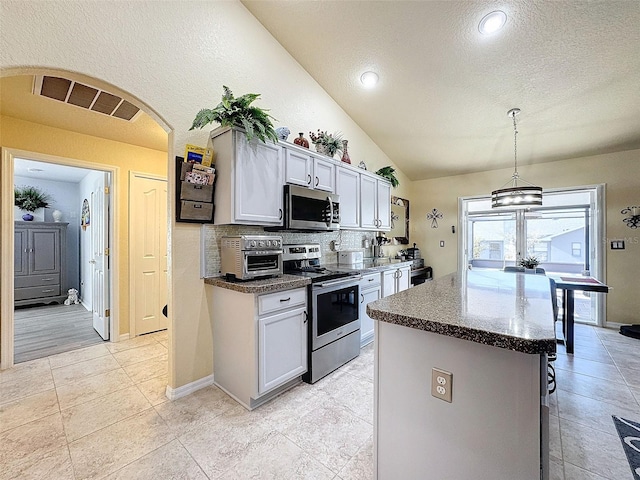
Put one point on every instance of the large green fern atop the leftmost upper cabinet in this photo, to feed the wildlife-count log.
(238, 112)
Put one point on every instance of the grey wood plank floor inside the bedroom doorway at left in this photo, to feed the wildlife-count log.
(46, 330)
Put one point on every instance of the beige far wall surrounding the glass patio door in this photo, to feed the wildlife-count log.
(619, 171)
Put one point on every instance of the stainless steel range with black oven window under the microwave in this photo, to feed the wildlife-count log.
(334, 330)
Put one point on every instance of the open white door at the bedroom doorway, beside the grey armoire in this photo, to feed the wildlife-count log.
(99, 225)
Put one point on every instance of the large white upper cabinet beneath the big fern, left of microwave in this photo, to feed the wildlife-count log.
(248, 188)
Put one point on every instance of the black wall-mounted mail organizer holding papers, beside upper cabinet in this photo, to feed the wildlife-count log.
(194, 192)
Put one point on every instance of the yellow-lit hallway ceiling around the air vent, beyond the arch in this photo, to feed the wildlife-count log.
(18, 101)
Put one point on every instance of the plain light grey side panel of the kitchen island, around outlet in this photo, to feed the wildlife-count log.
(490, 431)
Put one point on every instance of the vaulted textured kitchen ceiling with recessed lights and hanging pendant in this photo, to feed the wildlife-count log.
(440, 108)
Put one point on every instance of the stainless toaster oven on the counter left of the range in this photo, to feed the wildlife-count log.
(247, 257)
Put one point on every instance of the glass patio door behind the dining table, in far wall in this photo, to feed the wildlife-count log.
(561, 234)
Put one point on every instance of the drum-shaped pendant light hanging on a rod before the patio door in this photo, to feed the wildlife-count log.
(516, 196)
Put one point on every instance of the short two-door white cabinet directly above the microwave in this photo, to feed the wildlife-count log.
(308, 170)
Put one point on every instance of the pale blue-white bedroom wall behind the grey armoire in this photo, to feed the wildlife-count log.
(64, 197)
